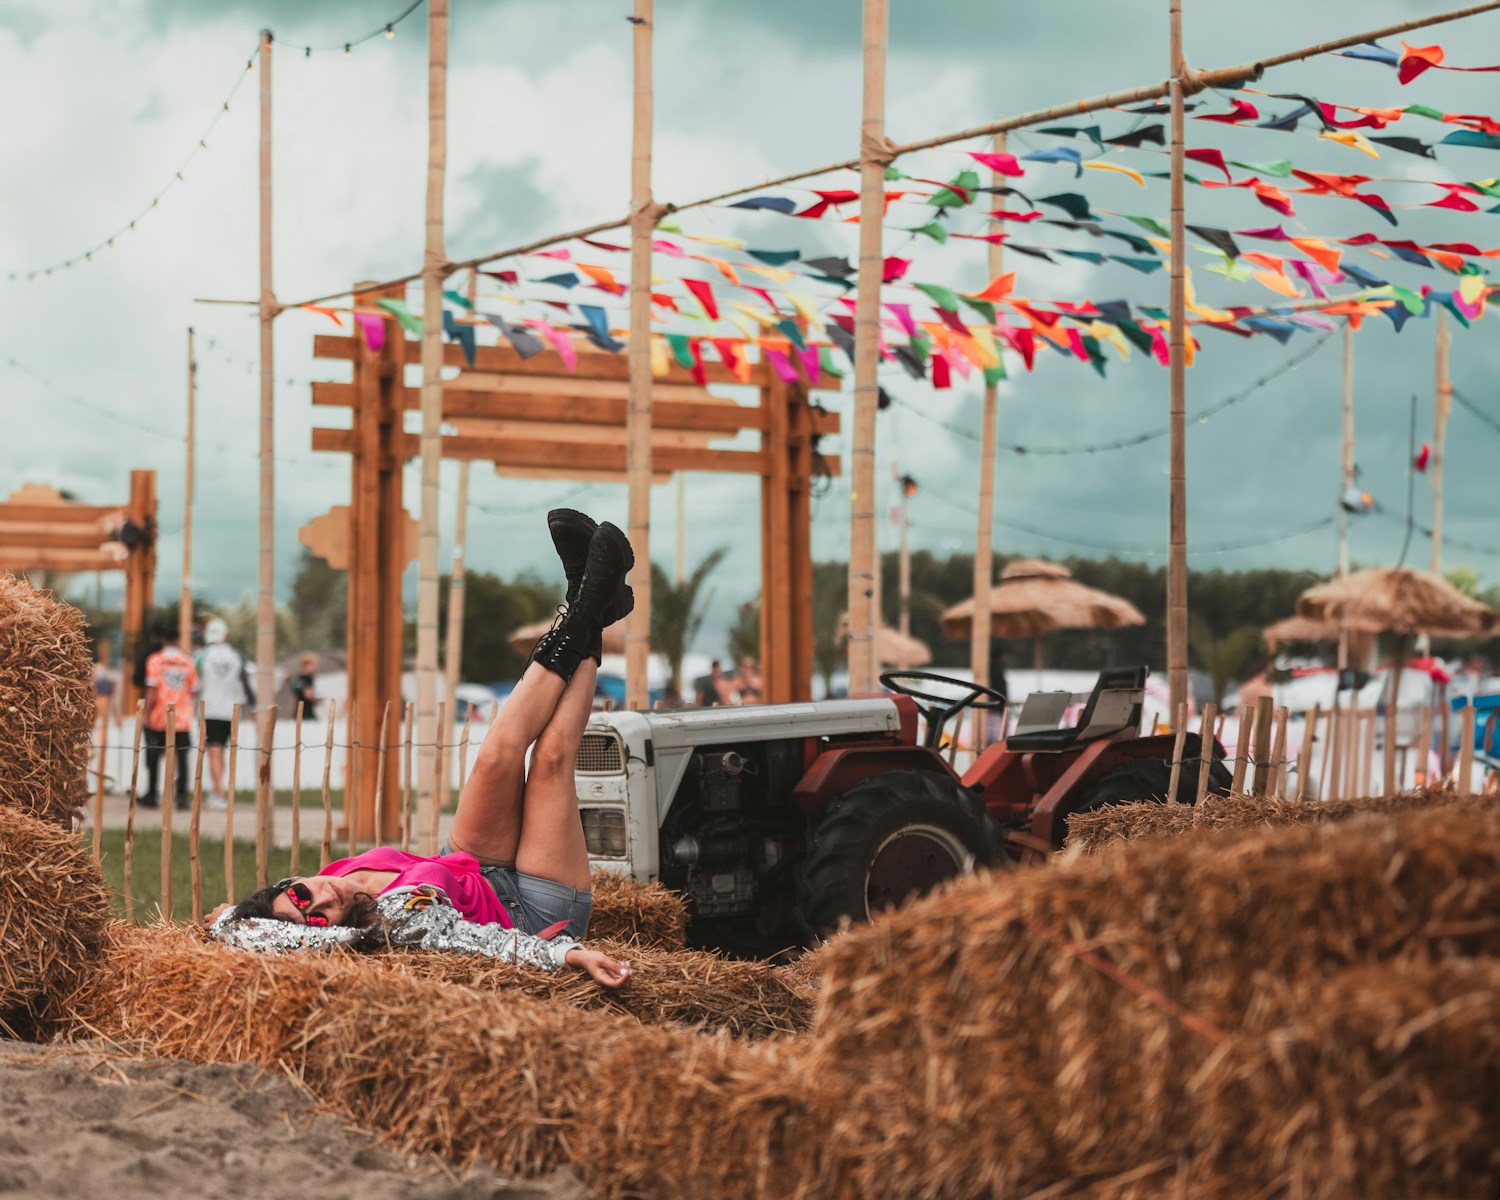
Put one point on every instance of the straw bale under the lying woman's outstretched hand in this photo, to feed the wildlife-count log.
(680, 988)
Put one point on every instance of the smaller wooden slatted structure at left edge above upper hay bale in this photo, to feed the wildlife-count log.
(44, 532)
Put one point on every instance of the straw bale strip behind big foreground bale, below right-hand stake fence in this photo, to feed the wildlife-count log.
(1090, 833)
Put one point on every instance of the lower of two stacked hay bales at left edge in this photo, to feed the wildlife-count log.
(55, 908)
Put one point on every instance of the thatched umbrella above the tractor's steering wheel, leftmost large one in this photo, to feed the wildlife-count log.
(1036, 598)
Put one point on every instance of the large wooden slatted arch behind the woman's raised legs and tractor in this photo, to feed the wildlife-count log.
(541, 418)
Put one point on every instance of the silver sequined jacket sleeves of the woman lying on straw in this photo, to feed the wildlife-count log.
(422, 919)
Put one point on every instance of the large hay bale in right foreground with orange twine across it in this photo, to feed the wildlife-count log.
(1000, 1061)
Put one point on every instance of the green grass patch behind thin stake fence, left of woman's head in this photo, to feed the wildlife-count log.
(146, 871)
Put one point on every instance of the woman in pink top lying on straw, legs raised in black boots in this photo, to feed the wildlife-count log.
(515, 871)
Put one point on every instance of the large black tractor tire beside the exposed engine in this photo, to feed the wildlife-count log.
(889, 838)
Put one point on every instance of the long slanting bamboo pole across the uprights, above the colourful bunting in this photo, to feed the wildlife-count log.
(1220, 77)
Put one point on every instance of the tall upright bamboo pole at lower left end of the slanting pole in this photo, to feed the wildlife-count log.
(266, 583)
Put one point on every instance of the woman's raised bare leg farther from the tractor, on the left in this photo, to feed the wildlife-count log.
(488, 820)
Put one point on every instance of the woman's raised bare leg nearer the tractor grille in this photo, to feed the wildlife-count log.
(551, 832)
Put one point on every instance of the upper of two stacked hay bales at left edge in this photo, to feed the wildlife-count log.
(47, 706)
